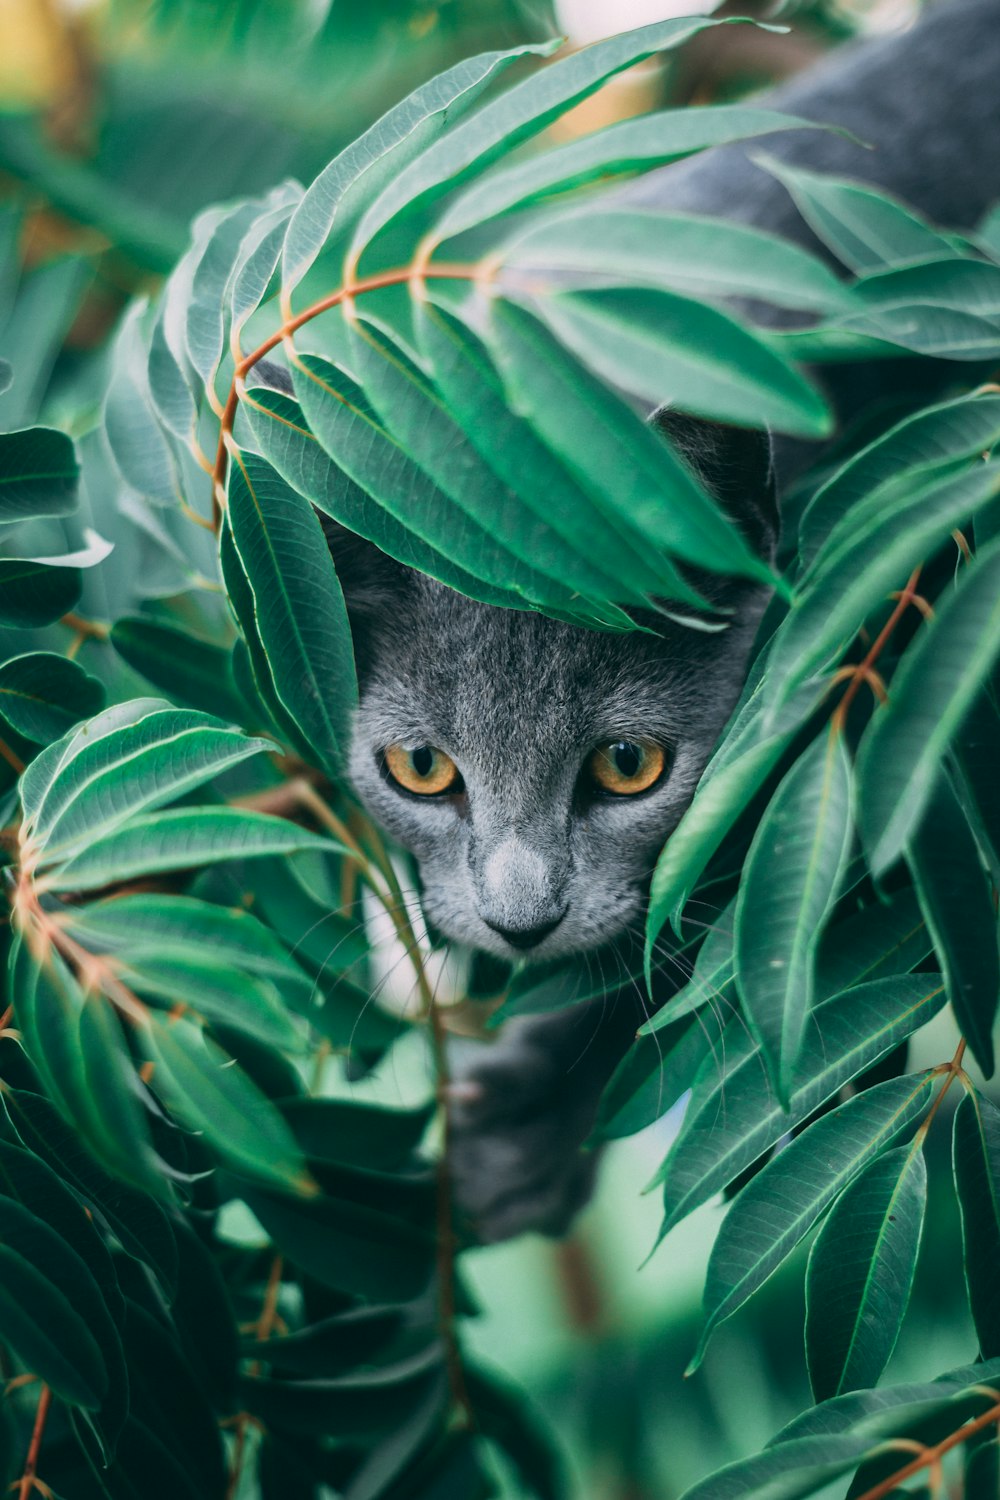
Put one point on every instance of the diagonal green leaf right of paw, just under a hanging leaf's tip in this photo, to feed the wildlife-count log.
(735, 1117)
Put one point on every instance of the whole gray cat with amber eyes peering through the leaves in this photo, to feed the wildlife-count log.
(536, 769)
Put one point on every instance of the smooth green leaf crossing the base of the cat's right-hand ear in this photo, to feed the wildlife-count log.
(617, 458)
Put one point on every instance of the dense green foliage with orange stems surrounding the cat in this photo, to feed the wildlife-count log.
(218, 1274)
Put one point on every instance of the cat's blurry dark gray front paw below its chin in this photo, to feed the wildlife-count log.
(515, 1145)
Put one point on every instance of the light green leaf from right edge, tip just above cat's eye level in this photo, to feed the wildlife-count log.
(863, 563)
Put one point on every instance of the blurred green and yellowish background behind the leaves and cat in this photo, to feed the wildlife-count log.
(119, 122)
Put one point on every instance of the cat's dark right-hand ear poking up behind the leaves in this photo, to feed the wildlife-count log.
(735, 466)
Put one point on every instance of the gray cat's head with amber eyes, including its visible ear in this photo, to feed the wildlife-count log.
(536, 769)
